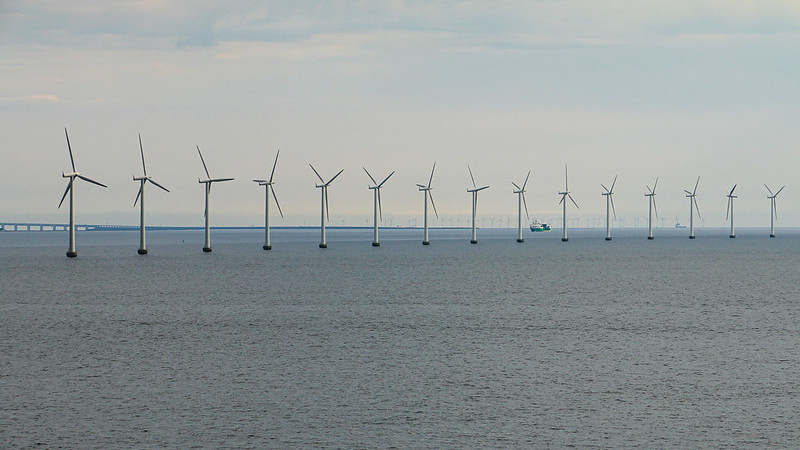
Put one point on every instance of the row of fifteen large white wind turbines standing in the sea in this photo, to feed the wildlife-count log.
(377, 208)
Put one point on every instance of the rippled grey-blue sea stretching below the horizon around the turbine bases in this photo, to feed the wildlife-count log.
(669, 343)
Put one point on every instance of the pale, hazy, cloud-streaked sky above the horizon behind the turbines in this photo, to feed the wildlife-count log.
(637, 89)
